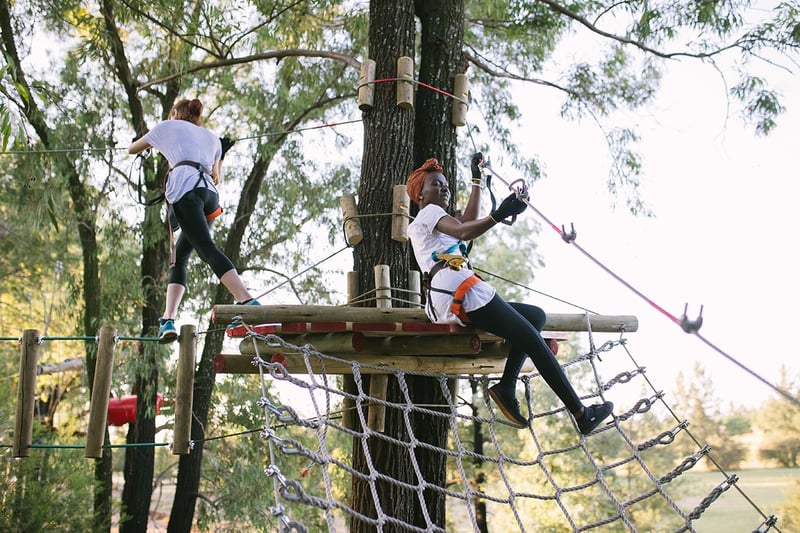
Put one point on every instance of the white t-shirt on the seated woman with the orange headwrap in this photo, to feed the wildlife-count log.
(426, 239)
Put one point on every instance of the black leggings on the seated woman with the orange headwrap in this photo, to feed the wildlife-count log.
(520, 324)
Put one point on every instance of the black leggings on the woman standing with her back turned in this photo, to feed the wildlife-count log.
(190, 212)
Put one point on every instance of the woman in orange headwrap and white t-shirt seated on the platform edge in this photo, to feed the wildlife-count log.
(456, 295)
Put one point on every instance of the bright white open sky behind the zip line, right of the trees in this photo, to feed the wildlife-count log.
(722, 236)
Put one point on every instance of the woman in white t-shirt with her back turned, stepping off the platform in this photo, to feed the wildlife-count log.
(195, 160)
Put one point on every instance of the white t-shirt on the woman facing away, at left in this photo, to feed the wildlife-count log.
(180, 140)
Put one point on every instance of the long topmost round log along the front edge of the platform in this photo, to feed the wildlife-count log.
(275, 314)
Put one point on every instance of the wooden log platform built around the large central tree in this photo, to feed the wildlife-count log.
(391, 339)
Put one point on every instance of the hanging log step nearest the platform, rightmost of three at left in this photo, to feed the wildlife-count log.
(181, 433)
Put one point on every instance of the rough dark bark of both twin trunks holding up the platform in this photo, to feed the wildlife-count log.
(390, 153)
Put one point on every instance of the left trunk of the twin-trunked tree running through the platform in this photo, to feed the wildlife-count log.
(387, 161)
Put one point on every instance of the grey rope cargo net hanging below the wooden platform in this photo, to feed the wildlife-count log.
(477, 472)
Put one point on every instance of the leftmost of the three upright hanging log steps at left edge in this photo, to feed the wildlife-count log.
(26, 393)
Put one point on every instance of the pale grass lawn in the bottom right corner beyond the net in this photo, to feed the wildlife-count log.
(731, 512)
